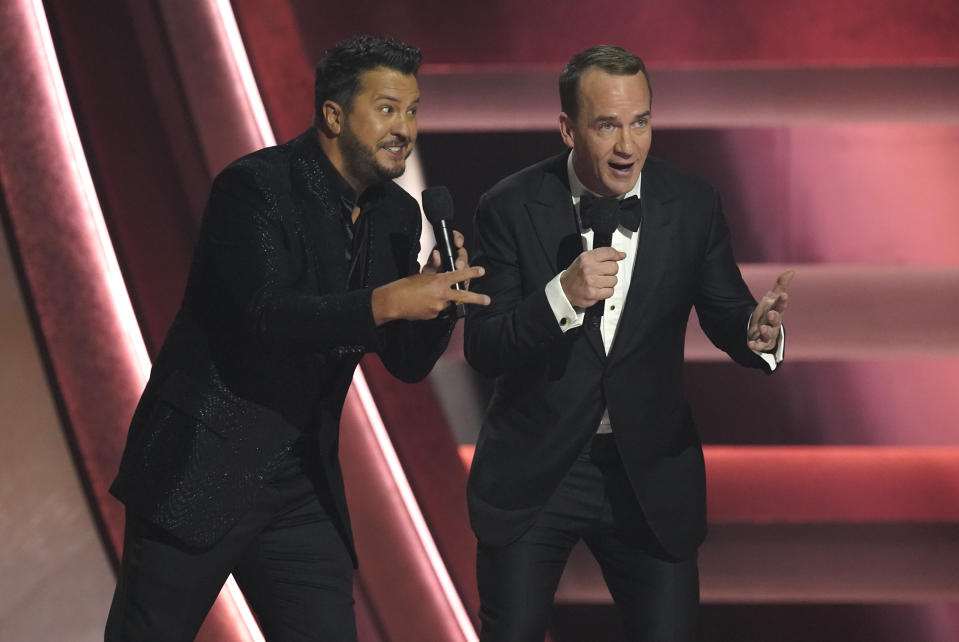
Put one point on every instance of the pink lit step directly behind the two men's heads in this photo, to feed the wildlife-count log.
(523, 98)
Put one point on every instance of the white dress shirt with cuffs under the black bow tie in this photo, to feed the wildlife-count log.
(625, 241)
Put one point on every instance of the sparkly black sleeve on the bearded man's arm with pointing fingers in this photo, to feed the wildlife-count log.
(248, 267)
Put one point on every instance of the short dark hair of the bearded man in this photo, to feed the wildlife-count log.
(338, 71)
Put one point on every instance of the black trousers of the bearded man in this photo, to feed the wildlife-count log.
(286, 555)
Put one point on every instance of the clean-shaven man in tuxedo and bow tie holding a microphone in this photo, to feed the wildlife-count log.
(588, 434)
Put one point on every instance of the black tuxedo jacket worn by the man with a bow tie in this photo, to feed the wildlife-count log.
(551, 388)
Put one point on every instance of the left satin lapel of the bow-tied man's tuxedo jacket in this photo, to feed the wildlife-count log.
(554, 220)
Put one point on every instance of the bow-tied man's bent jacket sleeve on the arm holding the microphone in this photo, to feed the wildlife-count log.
(518, 326)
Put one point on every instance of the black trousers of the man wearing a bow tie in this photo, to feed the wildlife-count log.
(657, 597)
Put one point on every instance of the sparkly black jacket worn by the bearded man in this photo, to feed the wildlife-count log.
(263, 349)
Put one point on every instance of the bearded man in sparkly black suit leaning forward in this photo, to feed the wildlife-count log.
(307, 260)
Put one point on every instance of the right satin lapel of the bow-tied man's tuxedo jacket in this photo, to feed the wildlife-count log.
(652, 259)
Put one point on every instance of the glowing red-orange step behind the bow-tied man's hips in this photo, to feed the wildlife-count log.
(835, 484)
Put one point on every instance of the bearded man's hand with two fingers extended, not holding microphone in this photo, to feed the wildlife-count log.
(424, 296)
